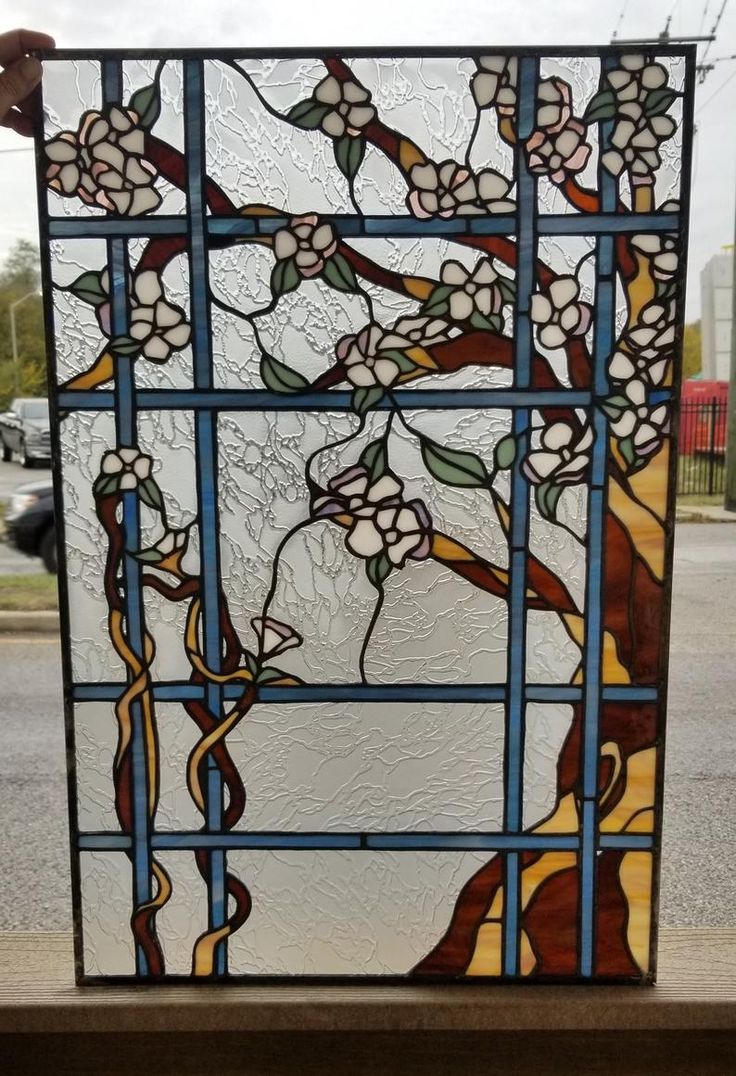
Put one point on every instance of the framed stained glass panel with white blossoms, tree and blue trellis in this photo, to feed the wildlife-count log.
(364, 373)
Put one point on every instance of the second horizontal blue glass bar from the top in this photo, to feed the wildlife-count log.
(247, 400)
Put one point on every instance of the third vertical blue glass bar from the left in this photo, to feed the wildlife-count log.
(514, 815)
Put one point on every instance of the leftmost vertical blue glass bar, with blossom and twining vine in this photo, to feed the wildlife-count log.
(128, 437)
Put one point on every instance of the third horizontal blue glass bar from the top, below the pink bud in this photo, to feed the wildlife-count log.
(180, 691)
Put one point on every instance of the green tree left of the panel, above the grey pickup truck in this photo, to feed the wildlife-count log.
(19, 276)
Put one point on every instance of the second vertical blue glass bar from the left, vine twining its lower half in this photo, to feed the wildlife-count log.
(207, 469)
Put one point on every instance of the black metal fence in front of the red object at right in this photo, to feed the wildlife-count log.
(703, 441)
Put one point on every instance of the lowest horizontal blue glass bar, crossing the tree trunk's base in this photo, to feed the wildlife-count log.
(376, 842)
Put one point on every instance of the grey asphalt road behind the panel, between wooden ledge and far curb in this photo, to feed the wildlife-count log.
(700, 845)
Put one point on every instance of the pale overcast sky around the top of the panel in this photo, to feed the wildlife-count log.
(253, 23)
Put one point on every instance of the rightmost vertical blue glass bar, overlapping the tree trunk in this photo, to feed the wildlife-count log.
(605, 338)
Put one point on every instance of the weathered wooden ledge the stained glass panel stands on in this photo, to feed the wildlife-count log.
(697, 992)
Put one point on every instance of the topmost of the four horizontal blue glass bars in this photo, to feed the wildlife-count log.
(353, 226)
